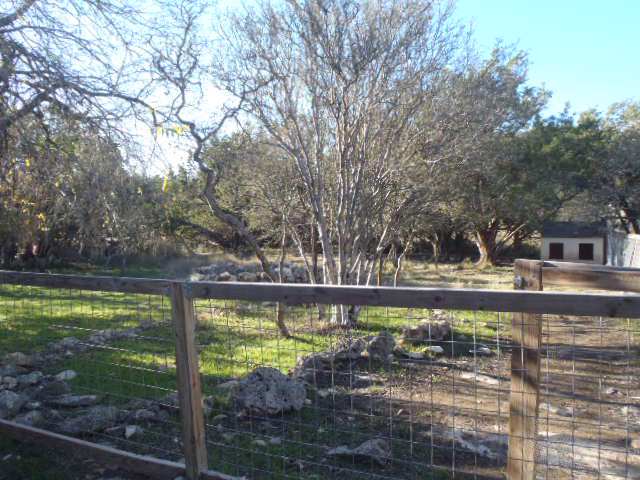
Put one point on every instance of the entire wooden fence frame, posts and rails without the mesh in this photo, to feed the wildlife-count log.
(527, 304)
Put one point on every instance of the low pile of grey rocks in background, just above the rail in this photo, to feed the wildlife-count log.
(229, 271)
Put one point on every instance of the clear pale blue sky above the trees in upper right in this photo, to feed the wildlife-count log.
(585, 51)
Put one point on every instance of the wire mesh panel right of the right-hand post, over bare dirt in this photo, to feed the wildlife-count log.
(589, 425)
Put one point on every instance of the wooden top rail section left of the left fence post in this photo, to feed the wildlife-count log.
(86, 282)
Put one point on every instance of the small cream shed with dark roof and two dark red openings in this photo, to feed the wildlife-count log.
(575, 242)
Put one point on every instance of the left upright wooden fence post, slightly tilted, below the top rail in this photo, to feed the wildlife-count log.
(189, 388)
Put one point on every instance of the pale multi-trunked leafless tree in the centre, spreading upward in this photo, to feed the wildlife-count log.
(338, 86)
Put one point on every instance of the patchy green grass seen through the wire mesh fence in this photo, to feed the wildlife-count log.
(234, 338)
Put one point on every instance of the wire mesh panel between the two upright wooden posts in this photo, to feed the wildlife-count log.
(439, 414)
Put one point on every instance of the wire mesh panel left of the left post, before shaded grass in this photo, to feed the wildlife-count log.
(122, 350)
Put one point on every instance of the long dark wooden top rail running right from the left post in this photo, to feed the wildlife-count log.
(559, 303)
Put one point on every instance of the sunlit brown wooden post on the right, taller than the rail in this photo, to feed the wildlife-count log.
(526, 334)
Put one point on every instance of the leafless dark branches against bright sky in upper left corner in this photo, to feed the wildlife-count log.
(78, 57)
